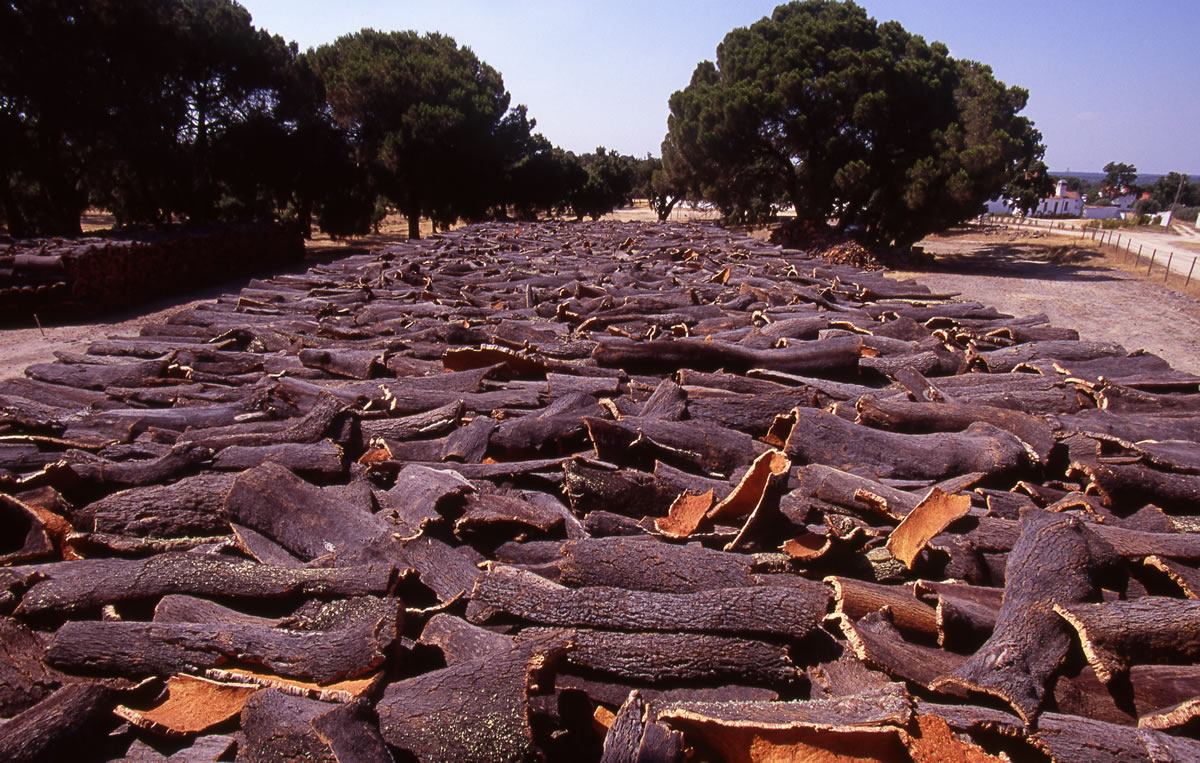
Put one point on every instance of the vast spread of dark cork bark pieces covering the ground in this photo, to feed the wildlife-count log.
(613, 491)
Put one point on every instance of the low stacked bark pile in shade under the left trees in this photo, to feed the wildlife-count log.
(101, 273)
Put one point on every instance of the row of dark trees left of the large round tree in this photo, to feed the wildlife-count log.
(165, 111)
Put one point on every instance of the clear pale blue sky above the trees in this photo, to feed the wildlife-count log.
(1108, 80)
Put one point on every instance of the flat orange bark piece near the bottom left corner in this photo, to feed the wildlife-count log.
(193, 706)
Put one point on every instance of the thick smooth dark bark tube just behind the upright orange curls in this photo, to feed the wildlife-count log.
(824, 438)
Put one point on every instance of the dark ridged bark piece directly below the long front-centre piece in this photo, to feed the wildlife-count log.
(673, 658)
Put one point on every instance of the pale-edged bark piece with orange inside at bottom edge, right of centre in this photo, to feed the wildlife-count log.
(857, 728)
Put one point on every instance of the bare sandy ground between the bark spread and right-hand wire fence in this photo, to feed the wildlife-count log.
(1075, 286)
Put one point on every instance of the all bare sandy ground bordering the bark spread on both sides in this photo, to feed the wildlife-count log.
(1016, 275)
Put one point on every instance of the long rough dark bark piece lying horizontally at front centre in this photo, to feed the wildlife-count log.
(770, 610)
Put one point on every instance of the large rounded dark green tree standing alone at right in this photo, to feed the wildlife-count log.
(821, 109)
